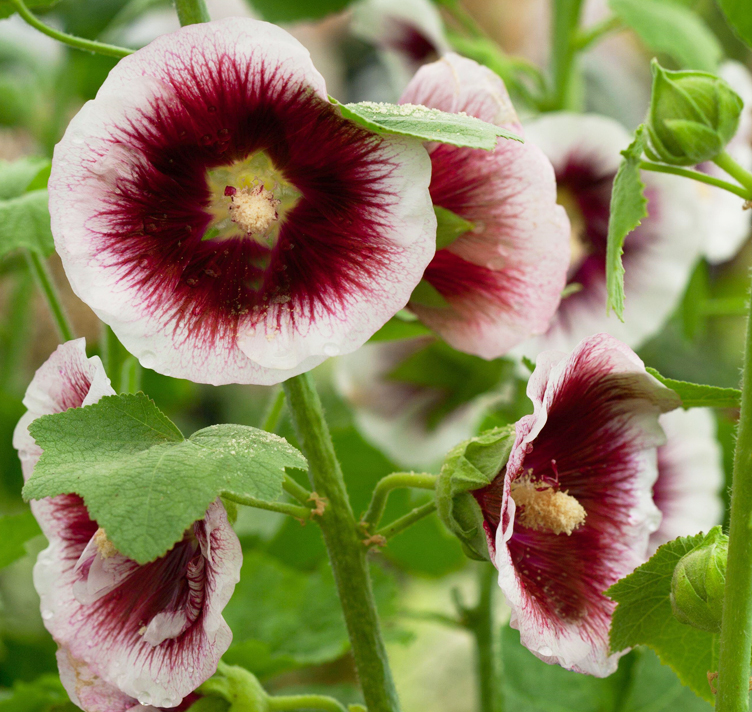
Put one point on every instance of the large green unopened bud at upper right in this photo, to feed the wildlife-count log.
(693, 115)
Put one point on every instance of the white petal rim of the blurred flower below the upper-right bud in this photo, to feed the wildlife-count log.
(672, 238)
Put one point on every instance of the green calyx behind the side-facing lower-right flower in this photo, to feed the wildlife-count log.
(469, 466)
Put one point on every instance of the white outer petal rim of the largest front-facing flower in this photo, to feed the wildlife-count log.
(80, 179)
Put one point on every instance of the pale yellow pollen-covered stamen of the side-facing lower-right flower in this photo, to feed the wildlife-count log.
(543, 508)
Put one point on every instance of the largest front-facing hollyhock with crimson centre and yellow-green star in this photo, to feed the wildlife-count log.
(221, 216)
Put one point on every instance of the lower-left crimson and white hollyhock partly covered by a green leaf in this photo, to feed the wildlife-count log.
(147, 633)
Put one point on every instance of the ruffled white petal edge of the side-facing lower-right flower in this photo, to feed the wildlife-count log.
(572, 647)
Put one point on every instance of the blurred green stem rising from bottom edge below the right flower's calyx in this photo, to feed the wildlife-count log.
(480, 621)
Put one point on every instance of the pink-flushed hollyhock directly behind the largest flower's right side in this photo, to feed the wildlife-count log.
(502, 280)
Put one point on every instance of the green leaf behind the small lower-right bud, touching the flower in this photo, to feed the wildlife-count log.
(644, 616)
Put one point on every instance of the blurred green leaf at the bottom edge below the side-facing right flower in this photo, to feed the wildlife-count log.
(641, 684)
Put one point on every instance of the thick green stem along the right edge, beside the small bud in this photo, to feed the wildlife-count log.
(736, 626)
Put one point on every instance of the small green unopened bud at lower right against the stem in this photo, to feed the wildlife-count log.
(698, 582)
